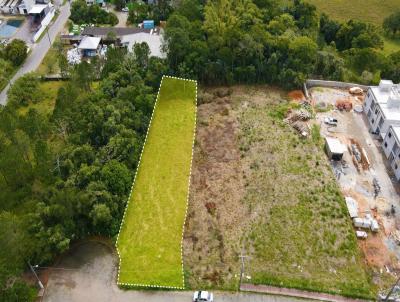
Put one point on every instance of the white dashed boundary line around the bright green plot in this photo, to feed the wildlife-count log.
(133, 183)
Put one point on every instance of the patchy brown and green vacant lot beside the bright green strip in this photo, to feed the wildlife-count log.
(260, 190)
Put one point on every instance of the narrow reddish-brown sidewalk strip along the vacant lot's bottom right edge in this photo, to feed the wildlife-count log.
(265, 289)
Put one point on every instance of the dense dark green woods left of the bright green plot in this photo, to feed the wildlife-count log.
(67, 176)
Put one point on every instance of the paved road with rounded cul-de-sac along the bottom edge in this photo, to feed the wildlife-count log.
(87, 274)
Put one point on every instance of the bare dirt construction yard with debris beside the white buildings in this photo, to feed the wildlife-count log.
(364, 175)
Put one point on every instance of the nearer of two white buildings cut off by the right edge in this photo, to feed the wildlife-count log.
(391, 148)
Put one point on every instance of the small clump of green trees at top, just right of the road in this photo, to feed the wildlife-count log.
(82, 13)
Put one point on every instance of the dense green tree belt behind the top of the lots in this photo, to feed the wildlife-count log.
(223, 42)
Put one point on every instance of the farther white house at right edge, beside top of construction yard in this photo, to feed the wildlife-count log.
(382, 107)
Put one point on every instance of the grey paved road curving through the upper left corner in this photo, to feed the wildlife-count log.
(39, 50)
